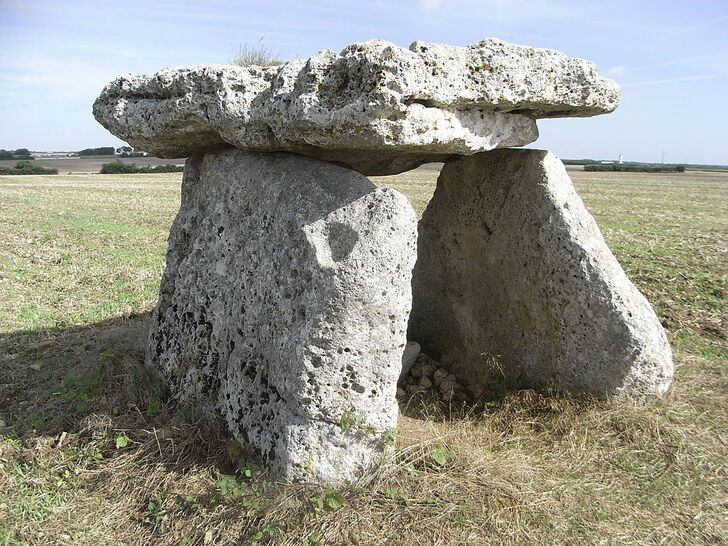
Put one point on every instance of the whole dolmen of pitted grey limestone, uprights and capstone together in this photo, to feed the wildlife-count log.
(293, 283)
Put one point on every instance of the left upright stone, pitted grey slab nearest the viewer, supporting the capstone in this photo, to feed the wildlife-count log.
(286, 297)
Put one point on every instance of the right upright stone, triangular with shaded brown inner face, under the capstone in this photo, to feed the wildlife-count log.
(511, 265)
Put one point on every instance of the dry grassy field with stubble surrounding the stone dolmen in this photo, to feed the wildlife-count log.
(91, 453)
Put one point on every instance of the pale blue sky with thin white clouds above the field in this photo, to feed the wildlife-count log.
(670, 57)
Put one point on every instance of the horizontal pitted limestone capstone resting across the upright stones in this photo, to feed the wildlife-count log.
(376, 107)
